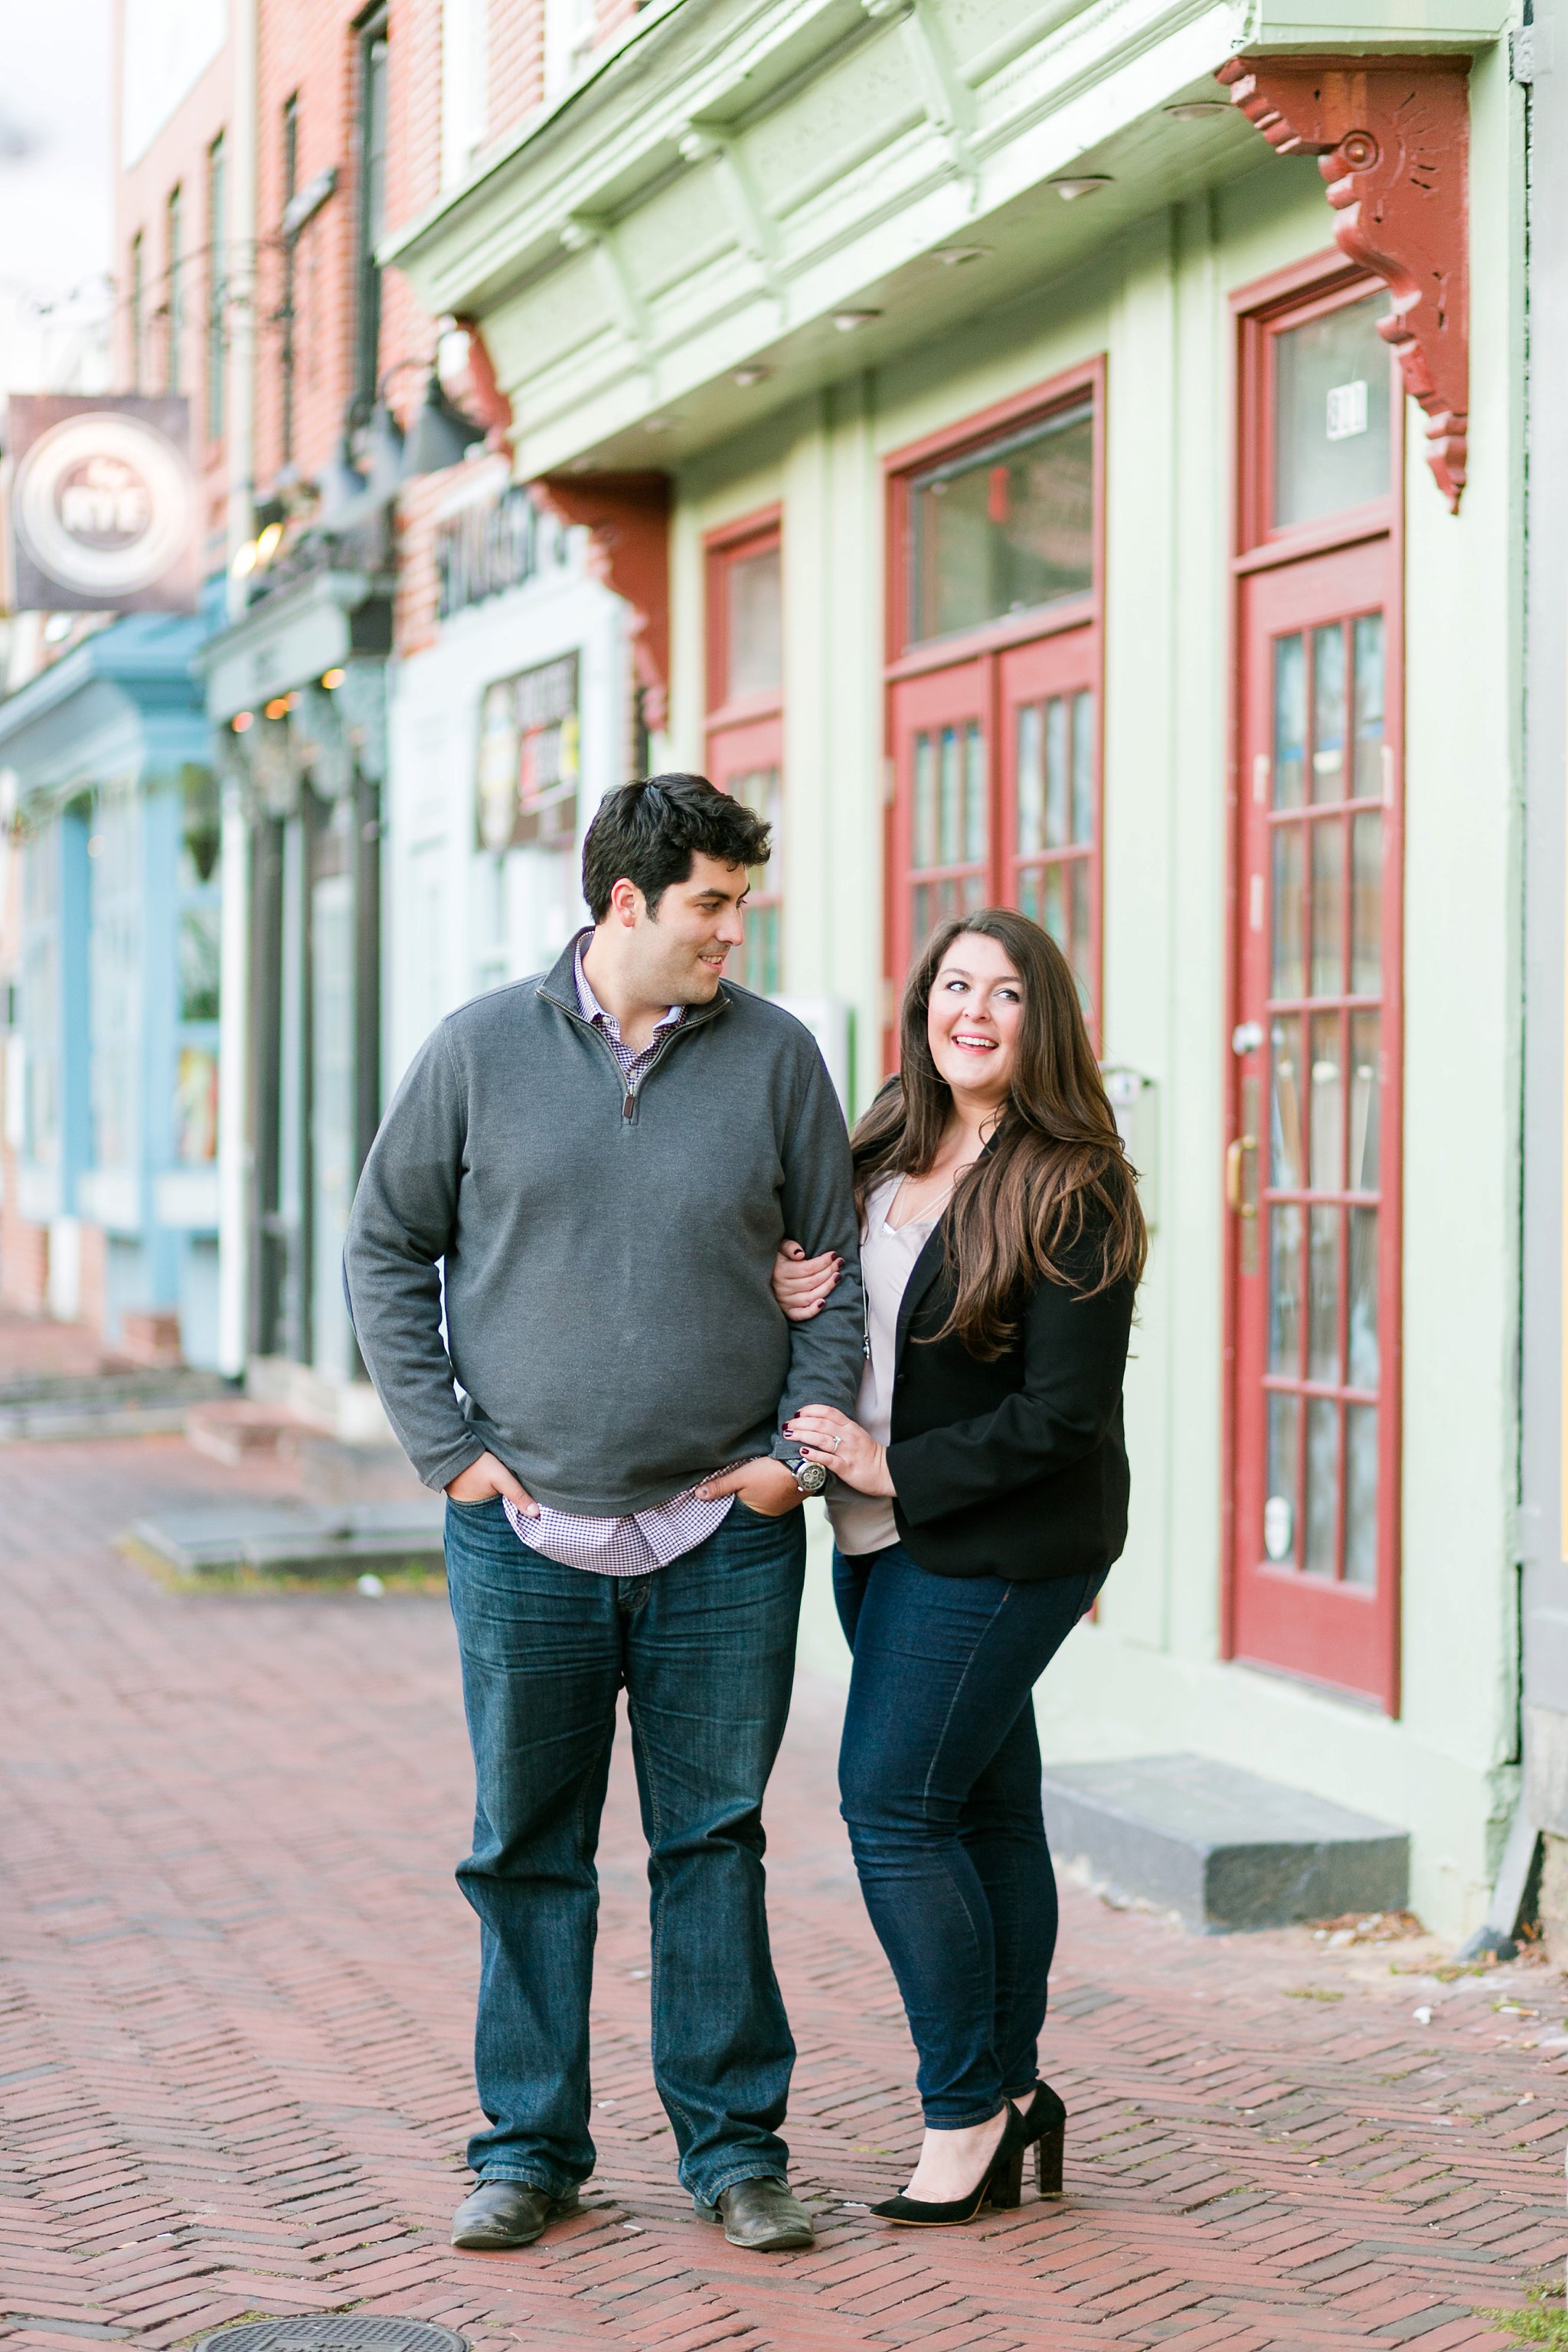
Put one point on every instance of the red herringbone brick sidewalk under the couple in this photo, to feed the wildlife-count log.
(236, 2010)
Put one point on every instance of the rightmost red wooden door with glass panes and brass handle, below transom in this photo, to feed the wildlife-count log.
(1313, 1172)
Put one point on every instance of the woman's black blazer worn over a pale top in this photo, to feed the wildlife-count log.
(1012, 1469)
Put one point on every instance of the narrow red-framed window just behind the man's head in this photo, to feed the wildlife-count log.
(746, 716)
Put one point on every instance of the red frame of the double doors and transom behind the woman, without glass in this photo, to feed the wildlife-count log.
(977, 681)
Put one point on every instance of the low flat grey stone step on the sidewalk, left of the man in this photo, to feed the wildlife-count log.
(290, 1537)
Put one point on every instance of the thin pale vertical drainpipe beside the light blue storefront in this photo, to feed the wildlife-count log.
(236, 933)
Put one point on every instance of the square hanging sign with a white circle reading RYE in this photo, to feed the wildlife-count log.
(102, 505)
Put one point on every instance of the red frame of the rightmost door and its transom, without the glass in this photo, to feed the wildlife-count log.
(1282, 582)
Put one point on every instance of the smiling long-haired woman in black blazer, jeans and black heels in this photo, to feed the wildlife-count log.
(981, 1497)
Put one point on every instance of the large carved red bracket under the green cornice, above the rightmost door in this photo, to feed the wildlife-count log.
(1393, 142)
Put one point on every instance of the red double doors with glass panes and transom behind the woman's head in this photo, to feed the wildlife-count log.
(996, 679)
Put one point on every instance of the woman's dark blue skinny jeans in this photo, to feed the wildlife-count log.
(939, 1782)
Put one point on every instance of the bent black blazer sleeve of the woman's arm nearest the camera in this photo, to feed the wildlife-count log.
(1076, 1361)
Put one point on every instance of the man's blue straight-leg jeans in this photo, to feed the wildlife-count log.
(706, 1652)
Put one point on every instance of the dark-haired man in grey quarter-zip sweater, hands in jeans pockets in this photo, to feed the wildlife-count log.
(605, 1163)
